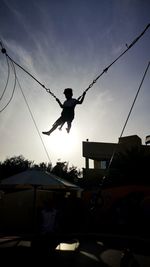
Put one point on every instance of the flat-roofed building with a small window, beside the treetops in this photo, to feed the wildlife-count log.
(102, 153)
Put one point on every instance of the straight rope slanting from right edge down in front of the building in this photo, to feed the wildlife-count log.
(130, 110)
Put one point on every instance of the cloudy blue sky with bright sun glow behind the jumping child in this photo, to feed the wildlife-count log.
(68, 43)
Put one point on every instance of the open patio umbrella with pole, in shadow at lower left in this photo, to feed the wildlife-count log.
(36, 180)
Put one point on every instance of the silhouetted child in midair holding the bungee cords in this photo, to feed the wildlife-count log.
(67, 114)
